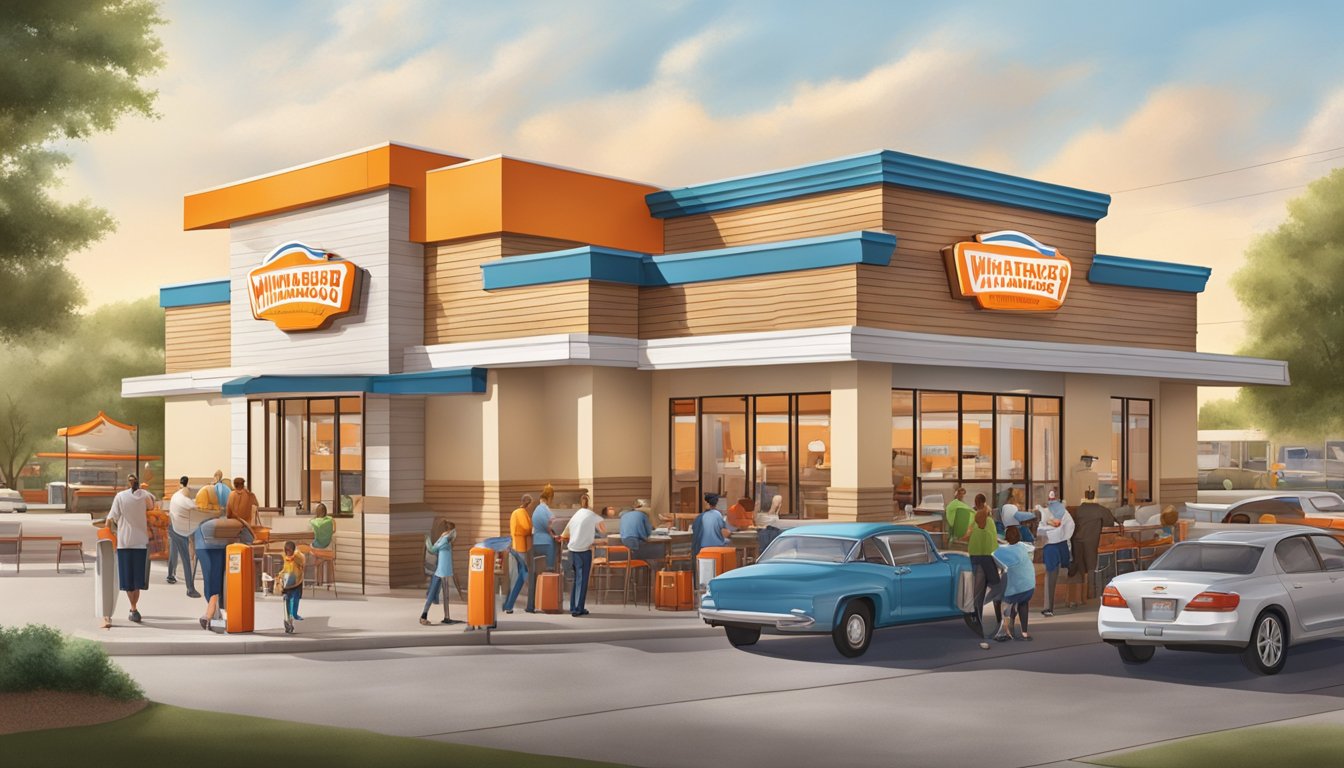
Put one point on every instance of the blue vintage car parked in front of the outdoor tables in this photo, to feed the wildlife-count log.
(845, 579)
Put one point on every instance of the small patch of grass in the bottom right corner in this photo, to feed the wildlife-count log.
(1298, 746)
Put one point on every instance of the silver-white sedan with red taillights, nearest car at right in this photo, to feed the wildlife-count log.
(1255, 592)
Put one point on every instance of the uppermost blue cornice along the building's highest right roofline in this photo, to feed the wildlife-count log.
(885, 167)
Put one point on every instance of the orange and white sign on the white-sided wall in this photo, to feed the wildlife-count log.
(302, 289)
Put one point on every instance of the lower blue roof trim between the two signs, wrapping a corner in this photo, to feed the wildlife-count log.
(611, 266)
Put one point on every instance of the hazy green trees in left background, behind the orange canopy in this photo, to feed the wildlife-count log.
(68, 377)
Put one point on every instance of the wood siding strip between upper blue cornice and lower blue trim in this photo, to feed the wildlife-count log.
(814, 216)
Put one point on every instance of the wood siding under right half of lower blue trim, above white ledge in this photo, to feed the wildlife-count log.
(808, 299)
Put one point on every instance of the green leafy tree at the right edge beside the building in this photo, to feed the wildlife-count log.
(1294, 291)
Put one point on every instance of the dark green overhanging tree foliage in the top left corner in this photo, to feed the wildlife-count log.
(68, 69)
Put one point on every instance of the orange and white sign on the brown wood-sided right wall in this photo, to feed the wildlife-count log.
(1009, 271)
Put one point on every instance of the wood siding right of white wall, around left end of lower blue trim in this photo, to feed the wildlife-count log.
(458, 310)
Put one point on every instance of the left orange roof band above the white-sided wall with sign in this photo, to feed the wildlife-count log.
(326, 181)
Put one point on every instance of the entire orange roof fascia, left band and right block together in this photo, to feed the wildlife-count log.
(451, 198)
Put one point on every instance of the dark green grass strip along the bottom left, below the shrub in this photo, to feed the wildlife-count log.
(163, 735)
